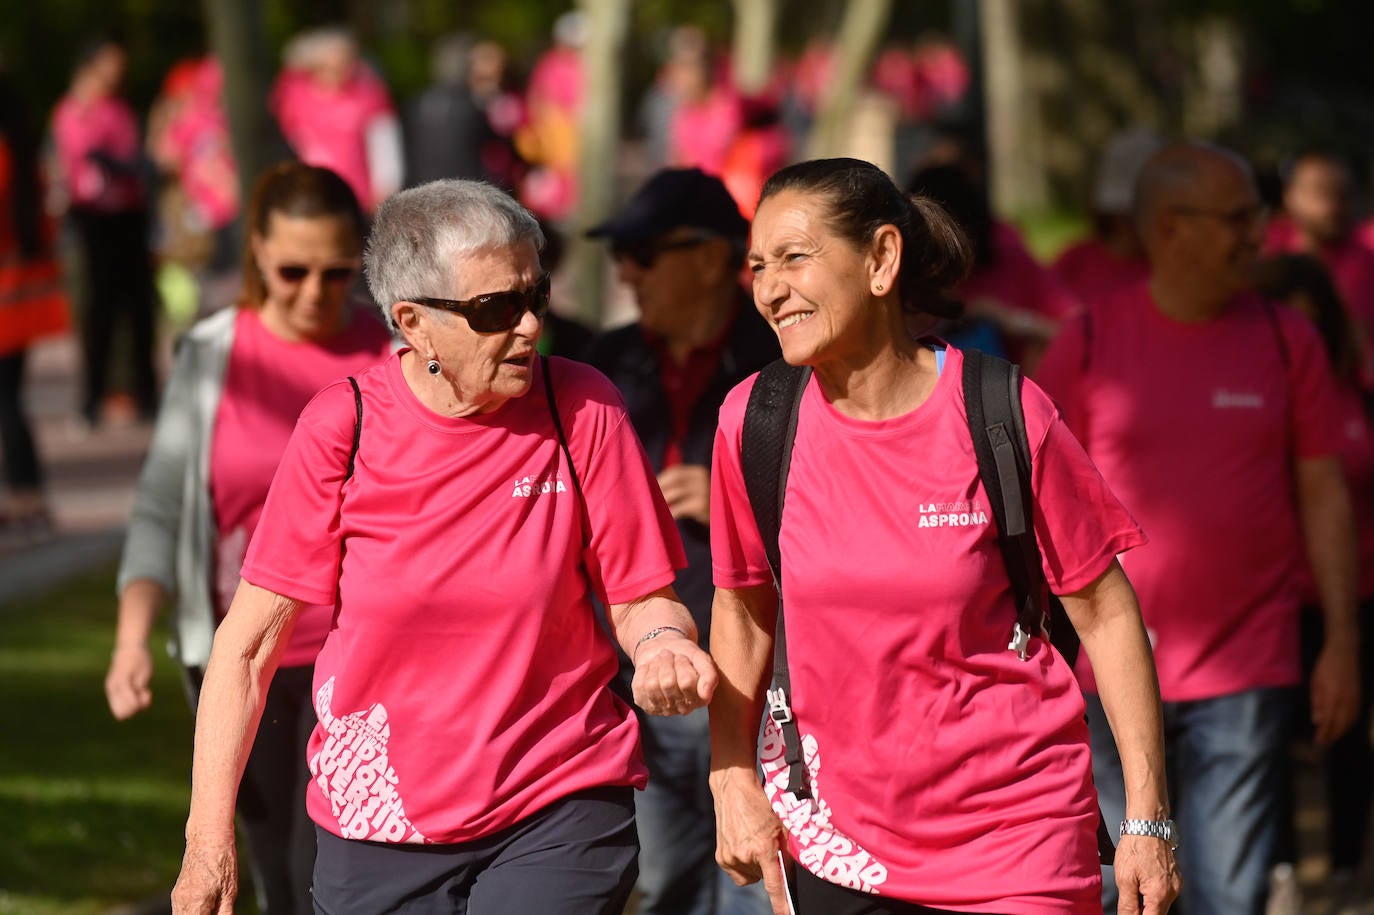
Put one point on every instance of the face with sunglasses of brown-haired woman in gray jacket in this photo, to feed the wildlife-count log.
(308, 266)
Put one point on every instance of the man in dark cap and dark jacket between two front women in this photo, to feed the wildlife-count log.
(679, 244)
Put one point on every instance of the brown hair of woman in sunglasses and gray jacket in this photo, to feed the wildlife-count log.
(299, 192)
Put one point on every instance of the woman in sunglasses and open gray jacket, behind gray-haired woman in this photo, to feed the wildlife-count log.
(240, 383)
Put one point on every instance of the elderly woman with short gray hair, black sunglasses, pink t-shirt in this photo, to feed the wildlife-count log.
(460, 504)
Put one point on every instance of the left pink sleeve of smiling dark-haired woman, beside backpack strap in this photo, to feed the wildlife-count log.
(739, 557)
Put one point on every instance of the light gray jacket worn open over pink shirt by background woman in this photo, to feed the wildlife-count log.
(172, 527)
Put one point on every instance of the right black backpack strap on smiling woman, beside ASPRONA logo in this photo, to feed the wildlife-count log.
(998, 428)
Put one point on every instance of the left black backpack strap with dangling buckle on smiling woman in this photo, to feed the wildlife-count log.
(766, 457)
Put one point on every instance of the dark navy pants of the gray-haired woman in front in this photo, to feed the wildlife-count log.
(574, 858)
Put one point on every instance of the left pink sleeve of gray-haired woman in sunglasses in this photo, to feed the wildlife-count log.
(296, 550)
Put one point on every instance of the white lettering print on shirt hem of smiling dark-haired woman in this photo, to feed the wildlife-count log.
(822, 850)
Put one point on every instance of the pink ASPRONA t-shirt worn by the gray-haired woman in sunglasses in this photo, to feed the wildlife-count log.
(465, 682)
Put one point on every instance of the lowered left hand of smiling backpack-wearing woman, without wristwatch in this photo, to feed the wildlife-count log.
(750, 836)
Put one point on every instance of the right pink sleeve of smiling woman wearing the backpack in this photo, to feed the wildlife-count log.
(1079, 523)
